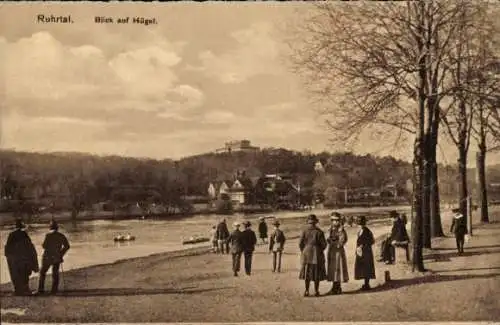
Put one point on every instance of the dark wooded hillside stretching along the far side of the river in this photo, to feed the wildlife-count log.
(76, 181)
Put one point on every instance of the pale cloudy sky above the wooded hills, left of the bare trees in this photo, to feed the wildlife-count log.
(204, 75)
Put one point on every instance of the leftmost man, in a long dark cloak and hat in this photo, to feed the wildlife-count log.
(21, 259)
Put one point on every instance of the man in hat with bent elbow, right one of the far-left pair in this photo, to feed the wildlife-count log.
(55, 246)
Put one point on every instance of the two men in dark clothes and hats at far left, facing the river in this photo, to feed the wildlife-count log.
(22, 258)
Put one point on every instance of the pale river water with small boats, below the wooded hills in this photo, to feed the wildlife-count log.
(92, 241)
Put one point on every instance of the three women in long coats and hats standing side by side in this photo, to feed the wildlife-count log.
(316, 268)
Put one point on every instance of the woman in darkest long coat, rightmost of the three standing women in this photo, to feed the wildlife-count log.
(364, 265)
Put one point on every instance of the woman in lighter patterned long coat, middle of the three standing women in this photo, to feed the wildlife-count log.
(336, 259)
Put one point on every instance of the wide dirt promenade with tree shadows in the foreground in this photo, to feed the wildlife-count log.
(201, 288)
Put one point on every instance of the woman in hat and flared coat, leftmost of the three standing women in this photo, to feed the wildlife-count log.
(312, 244)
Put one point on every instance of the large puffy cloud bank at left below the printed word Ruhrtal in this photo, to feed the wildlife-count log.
(68, 80)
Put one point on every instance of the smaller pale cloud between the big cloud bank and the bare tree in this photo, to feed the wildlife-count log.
(256, 52)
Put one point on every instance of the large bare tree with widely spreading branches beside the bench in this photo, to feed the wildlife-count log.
(385, 64)
